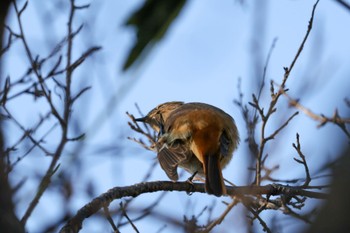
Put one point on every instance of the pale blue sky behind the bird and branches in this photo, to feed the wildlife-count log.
(209, 48)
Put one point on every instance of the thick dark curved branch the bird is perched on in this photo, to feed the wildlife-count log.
(75, 223)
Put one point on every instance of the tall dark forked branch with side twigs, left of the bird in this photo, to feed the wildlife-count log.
(41, 88)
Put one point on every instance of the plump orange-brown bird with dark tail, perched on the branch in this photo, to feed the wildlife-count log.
(197, 137)
